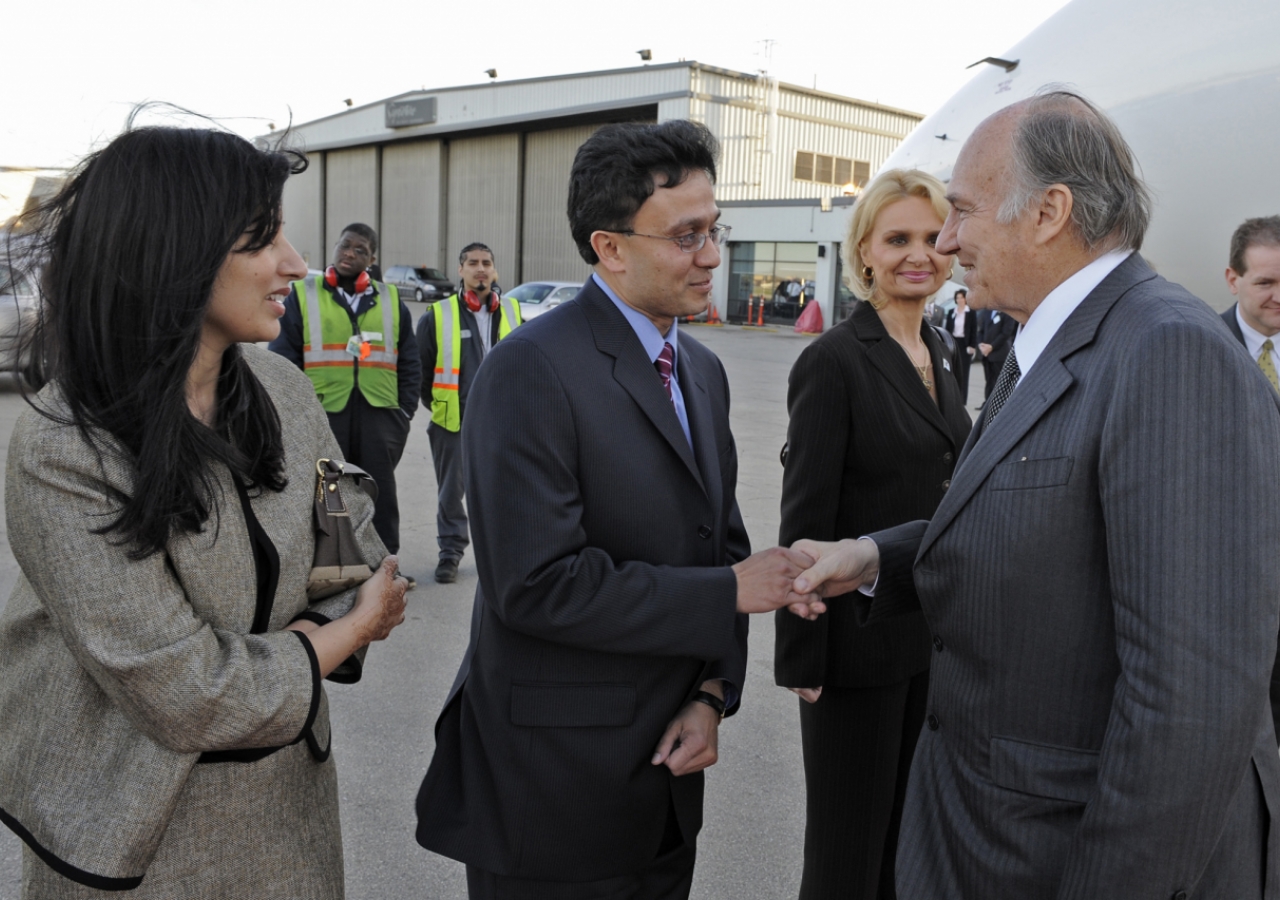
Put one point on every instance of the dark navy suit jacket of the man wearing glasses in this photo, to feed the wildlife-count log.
(604, 546)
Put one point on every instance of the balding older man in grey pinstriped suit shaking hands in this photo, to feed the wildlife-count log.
(1101, 579)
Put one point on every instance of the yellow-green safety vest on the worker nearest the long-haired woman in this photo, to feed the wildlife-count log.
(328, 364)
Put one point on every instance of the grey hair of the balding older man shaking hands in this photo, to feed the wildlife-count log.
(1063, 139)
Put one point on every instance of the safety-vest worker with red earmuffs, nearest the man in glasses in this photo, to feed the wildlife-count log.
(454, 337)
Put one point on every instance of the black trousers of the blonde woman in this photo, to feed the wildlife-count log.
(858, 746)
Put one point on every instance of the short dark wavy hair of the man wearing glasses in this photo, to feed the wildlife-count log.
(615, 173)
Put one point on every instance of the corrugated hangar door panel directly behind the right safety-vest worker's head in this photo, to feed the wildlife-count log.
(484, 200)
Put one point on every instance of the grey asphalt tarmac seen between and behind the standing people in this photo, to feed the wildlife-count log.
(752, 843)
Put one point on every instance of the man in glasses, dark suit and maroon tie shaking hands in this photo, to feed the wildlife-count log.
(609, 636)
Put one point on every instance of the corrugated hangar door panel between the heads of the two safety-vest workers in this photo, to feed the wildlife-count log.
(413, 213)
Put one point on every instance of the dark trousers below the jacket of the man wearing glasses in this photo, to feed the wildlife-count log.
(669, 878)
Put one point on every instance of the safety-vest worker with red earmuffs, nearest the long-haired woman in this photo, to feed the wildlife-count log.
(354, 339)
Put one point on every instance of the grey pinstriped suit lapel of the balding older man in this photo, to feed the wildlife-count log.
(1048, 381)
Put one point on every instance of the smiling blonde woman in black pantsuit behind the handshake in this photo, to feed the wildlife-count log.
(877, 423)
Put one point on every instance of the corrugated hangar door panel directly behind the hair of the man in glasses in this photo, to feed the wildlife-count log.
(550, 250)
